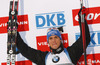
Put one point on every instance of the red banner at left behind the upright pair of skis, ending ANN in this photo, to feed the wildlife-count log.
(23, 23)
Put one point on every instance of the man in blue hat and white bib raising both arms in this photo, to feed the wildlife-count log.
(58, 55)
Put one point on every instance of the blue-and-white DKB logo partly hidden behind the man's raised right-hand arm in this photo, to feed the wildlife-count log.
(95, 38)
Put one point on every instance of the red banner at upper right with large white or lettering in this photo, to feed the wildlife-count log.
(92, 16)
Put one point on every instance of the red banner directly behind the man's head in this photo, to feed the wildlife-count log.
(43, 45)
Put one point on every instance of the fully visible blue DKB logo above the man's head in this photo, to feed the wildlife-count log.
(47, 20)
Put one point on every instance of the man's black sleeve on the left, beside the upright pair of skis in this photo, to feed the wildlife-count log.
(34, 55)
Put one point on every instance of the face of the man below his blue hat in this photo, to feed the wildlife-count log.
(54, 41)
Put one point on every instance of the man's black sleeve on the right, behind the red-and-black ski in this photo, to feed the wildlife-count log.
(76, 50)
